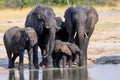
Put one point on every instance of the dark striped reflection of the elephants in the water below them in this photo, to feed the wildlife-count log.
(49, 74)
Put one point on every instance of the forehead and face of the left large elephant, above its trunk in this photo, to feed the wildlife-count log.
(46, 16)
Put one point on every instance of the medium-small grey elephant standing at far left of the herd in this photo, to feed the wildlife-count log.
(16, 40)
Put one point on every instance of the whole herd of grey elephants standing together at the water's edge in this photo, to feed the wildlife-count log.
(58, 40)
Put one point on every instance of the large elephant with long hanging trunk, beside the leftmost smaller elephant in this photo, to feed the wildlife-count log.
(42, 19)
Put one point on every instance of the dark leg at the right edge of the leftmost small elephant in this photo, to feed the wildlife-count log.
(35, 56)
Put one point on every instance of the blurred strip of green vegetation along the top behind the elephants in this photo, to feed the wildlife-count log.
(29, 3)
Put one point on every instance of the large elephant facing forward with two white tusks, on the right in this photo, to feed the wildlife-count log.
(80, 23)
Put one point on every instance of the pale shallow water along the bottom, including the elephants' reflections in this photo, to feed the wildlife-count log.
(94, 72)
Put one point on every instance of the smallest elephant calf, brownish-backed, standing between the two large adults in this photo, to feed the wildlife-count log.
(65, 51)
